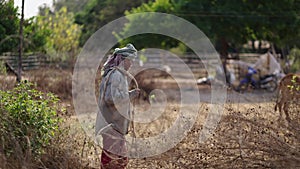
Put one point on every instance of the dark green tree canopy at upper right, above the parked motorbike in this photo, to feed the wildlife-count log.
(231, 22)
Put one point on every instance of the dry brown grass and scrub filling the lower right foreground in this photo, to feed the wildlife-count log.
(248, 136)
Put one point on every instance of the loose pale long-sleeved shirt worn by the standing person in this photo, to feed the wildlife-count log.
(114, 102)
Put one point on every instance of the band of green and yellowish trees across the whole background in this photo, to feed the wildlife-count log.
(228, 24)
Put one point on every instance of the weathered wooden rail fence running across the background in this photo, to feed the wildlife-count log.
(156, 59)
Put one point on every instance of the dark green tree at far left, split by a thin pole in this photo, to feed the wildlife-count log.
(34, 38)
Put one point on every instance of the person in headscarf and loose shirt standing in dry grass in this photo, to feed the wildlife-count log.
(114, 103)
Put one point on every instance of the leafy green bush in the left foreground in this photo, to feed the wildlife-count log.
(28, 119)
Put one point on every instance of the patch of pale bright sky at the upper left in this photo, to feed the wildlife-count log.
(31, 7)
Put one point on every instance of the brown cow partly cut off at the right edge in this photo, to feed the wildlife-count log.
(288, 90)
